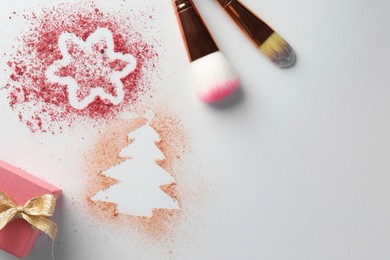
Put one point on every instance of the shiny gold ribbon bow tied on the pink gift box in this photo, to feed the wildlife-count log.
(36, 212)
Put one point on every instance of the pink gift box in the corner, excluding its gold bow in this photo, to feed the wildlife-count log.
(18, 237)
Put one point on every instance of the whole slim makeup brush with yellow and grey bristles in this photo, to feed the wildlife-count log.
(266, 39)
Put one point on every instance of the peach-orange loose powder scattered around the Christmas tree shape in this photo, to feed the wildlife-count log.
(173, 144)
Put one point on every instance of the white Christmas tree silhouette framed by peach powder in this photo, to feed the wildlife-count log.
(140, 177)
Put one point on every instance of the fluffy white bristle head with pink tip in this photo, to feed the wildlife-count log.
(214, 77)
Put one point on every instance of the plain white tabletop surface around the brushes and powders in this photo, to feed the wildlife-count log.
(298, 164)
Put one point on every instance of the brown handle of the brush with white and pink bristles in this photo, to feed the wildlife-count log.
(194, 31)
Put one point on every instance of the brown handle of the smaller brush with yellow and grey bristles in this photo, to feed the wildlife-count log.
(257, 30)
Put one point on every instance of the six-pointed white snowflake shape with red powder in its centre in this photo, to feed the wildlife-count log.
(91, 69)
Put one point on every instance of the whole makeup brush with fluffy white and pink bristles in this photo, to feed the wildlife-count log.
(213, 75)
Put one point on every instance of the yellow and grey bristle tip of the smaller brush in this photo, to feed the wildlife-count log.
(279, 51)
